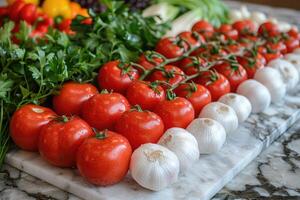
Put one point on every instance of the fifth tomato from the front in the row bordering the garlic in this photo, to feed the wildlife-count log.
(215, 82)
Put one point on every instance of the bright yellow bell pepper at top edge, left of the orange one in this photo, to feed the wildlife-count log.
(54, 8)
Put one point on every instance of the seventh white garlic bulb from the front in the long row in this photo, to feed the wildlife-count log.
(271, 78)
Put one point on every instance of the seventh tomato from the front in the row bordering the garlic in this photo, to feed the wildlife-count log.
(251, 64)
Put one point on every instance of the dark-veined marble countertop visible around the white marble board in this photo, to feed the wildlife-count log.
(275, 174)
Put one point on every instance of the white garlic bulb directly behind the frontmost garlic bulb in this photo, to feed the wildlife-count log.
(183, 144)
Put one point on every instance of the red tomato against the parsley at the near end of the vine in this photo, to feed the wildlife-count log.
(114, 77)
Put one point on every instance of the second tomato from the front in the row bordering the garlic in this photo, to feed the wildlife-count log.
(140, 127)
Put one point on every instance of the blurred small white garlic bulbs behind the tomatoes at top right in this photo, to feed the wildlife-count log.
(257, 17)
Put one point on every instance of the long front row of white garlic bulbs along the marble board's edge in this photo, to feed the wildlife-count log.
(156, 166)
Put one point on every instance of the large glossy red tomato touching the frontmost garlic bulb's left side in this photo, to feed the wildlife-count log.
(104, 161)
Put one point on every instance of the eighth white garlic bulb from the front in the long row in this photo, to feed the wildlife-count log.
(288, 72)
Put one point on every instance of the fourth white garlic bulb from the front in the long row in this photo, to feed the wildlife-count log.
(222, 113)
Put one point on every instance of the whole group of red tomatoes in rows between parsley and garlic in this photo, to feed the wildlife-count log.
(96, 132)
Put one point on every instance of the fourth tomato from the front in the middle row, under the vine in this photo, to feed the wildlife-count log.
(171, 74)
